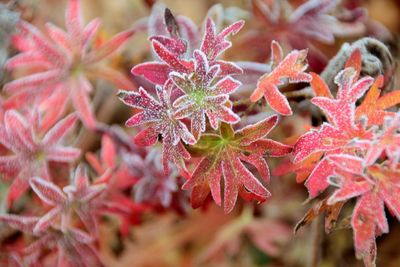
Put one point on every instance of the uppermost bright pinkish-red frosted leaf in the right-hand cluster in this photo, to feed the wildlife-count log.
(342, 126)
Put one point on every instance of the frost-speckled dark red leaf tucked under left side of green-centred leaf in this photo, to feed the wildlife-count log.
(160, 119)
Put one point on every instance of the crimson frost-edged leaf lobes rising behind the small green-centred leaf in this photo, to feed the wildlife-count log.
(175, 55)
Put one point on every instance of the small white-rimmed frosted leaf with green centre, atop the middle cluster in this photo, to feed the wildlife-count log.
(204, 94)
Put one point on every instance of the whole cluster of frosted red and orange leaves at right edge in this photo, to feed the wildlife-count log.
(355, 150)
